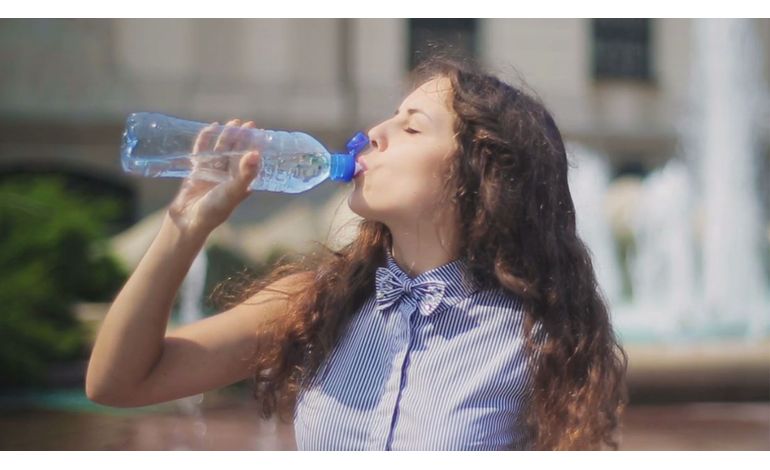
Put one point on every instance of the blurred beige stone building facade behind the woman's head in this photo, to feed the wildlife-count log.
(616, 85)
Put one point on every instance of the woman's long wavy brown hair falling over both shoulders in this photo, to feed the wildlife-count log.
(517, 232)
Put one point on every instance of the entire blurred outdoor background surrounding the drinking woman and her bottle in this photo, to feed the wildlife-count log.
(667, 127)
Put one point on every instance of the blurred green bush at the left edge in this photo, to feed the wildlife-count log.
(53, 252)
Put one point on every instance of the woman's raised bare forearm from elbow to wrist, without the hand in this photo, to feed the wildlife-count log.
(130, 340)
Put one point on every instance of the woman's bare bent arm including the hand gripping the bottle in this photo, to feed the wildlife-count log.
(132, 342)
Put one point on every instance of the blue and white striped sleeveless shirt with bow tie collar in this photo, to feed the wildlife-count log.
(447, 373)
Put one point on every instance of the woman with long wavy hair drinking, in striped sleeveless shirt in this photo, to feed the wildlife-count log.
(465, 315)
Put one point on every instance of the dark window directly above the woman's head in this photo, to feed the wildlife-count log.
(455, 37)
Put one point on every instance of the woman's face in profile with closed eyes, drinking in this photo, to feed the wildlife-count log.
(407, 158)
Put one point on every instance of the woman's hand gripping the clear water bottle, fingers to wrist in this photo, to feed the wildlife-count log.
(202, 205)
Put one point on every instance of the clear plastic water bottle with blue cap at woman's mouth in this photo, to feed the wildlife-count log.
(157, 145)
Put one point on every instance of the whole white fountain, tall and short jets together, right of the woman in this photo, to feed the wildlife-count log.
(697, 269)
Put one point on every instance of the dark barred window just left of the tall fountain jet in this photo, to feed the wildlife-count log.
(621, 48)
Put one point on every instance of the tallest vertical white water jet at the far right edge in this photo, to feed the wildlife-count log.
(728, 101)
